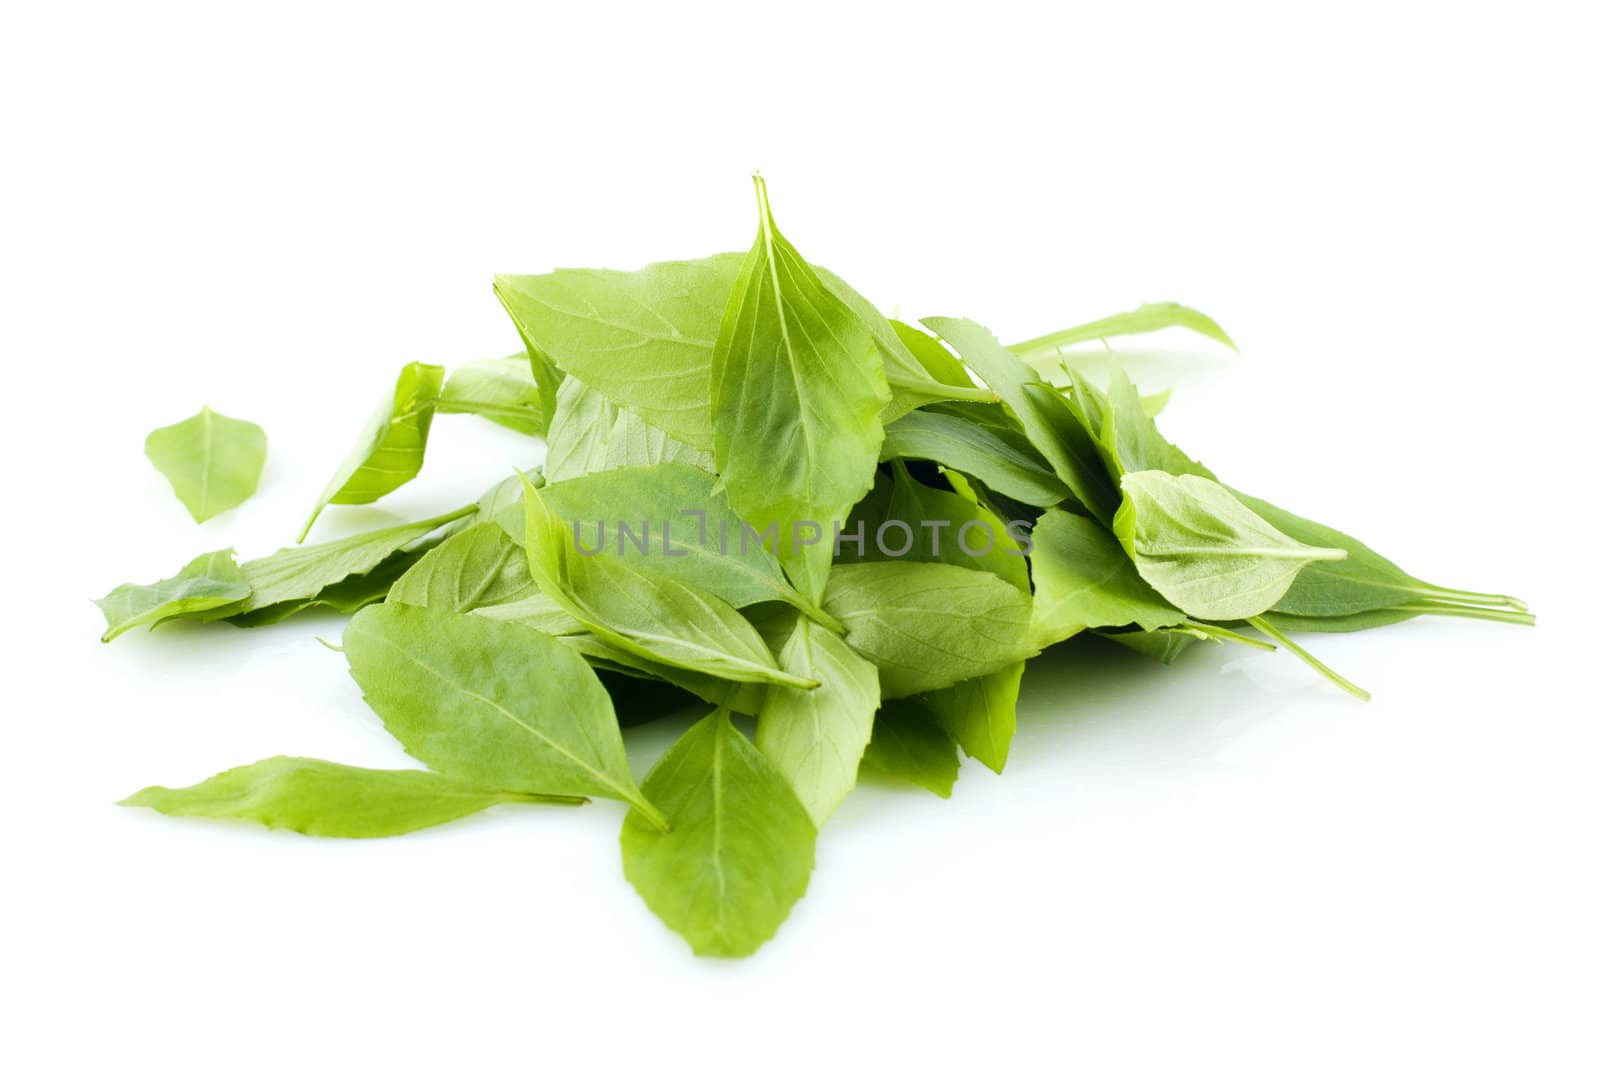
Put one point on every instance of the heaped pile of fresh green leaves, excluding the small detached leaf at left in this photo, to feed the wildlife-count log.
(839, 537)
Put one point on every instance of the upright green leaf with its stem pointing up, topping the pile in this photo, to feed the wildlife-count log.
(798, 386)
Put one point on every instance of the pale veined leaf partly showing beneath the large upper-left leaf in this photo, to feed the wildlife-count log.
(591, 434)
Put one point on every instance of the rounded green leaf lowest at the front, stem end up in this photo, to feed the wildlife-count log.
(742, 847)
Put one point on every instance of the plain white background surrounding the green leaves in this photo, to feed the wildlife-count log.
(270, 209)
